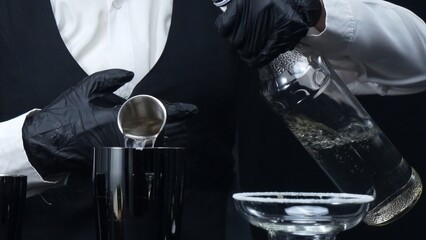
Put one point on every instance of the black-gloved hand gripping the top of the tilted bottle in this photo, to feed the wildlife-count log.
(262, 29)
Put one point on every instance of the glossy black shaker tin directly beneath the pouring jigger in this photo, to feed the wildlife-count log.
(138, 193)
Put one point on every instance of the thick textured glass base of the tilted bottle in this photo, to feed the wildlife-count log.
(394, 208)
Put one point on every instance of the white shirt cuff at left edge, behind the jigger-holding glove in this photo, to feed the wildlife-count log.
(14, 161)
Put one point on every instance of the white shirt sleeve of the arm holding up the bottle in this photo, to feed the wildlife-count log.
(375, 47)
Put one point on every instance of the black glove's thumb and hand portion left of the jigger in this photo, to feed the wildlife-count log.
(62, 135)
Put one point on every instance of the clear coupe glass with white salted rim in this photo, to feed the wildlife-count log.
(302, 215)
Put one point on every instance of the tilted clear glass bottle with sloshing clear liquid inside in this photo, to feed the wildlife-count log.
(339, 134)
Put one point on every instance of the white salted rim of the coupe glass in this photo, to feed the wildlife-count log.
(336, 198)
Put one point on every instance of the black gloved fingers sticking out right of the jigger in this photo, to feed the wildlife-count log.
(175, 131)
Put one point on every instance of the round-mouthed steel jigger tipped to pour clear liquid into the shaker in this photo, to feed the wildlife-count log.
(142, 118)
